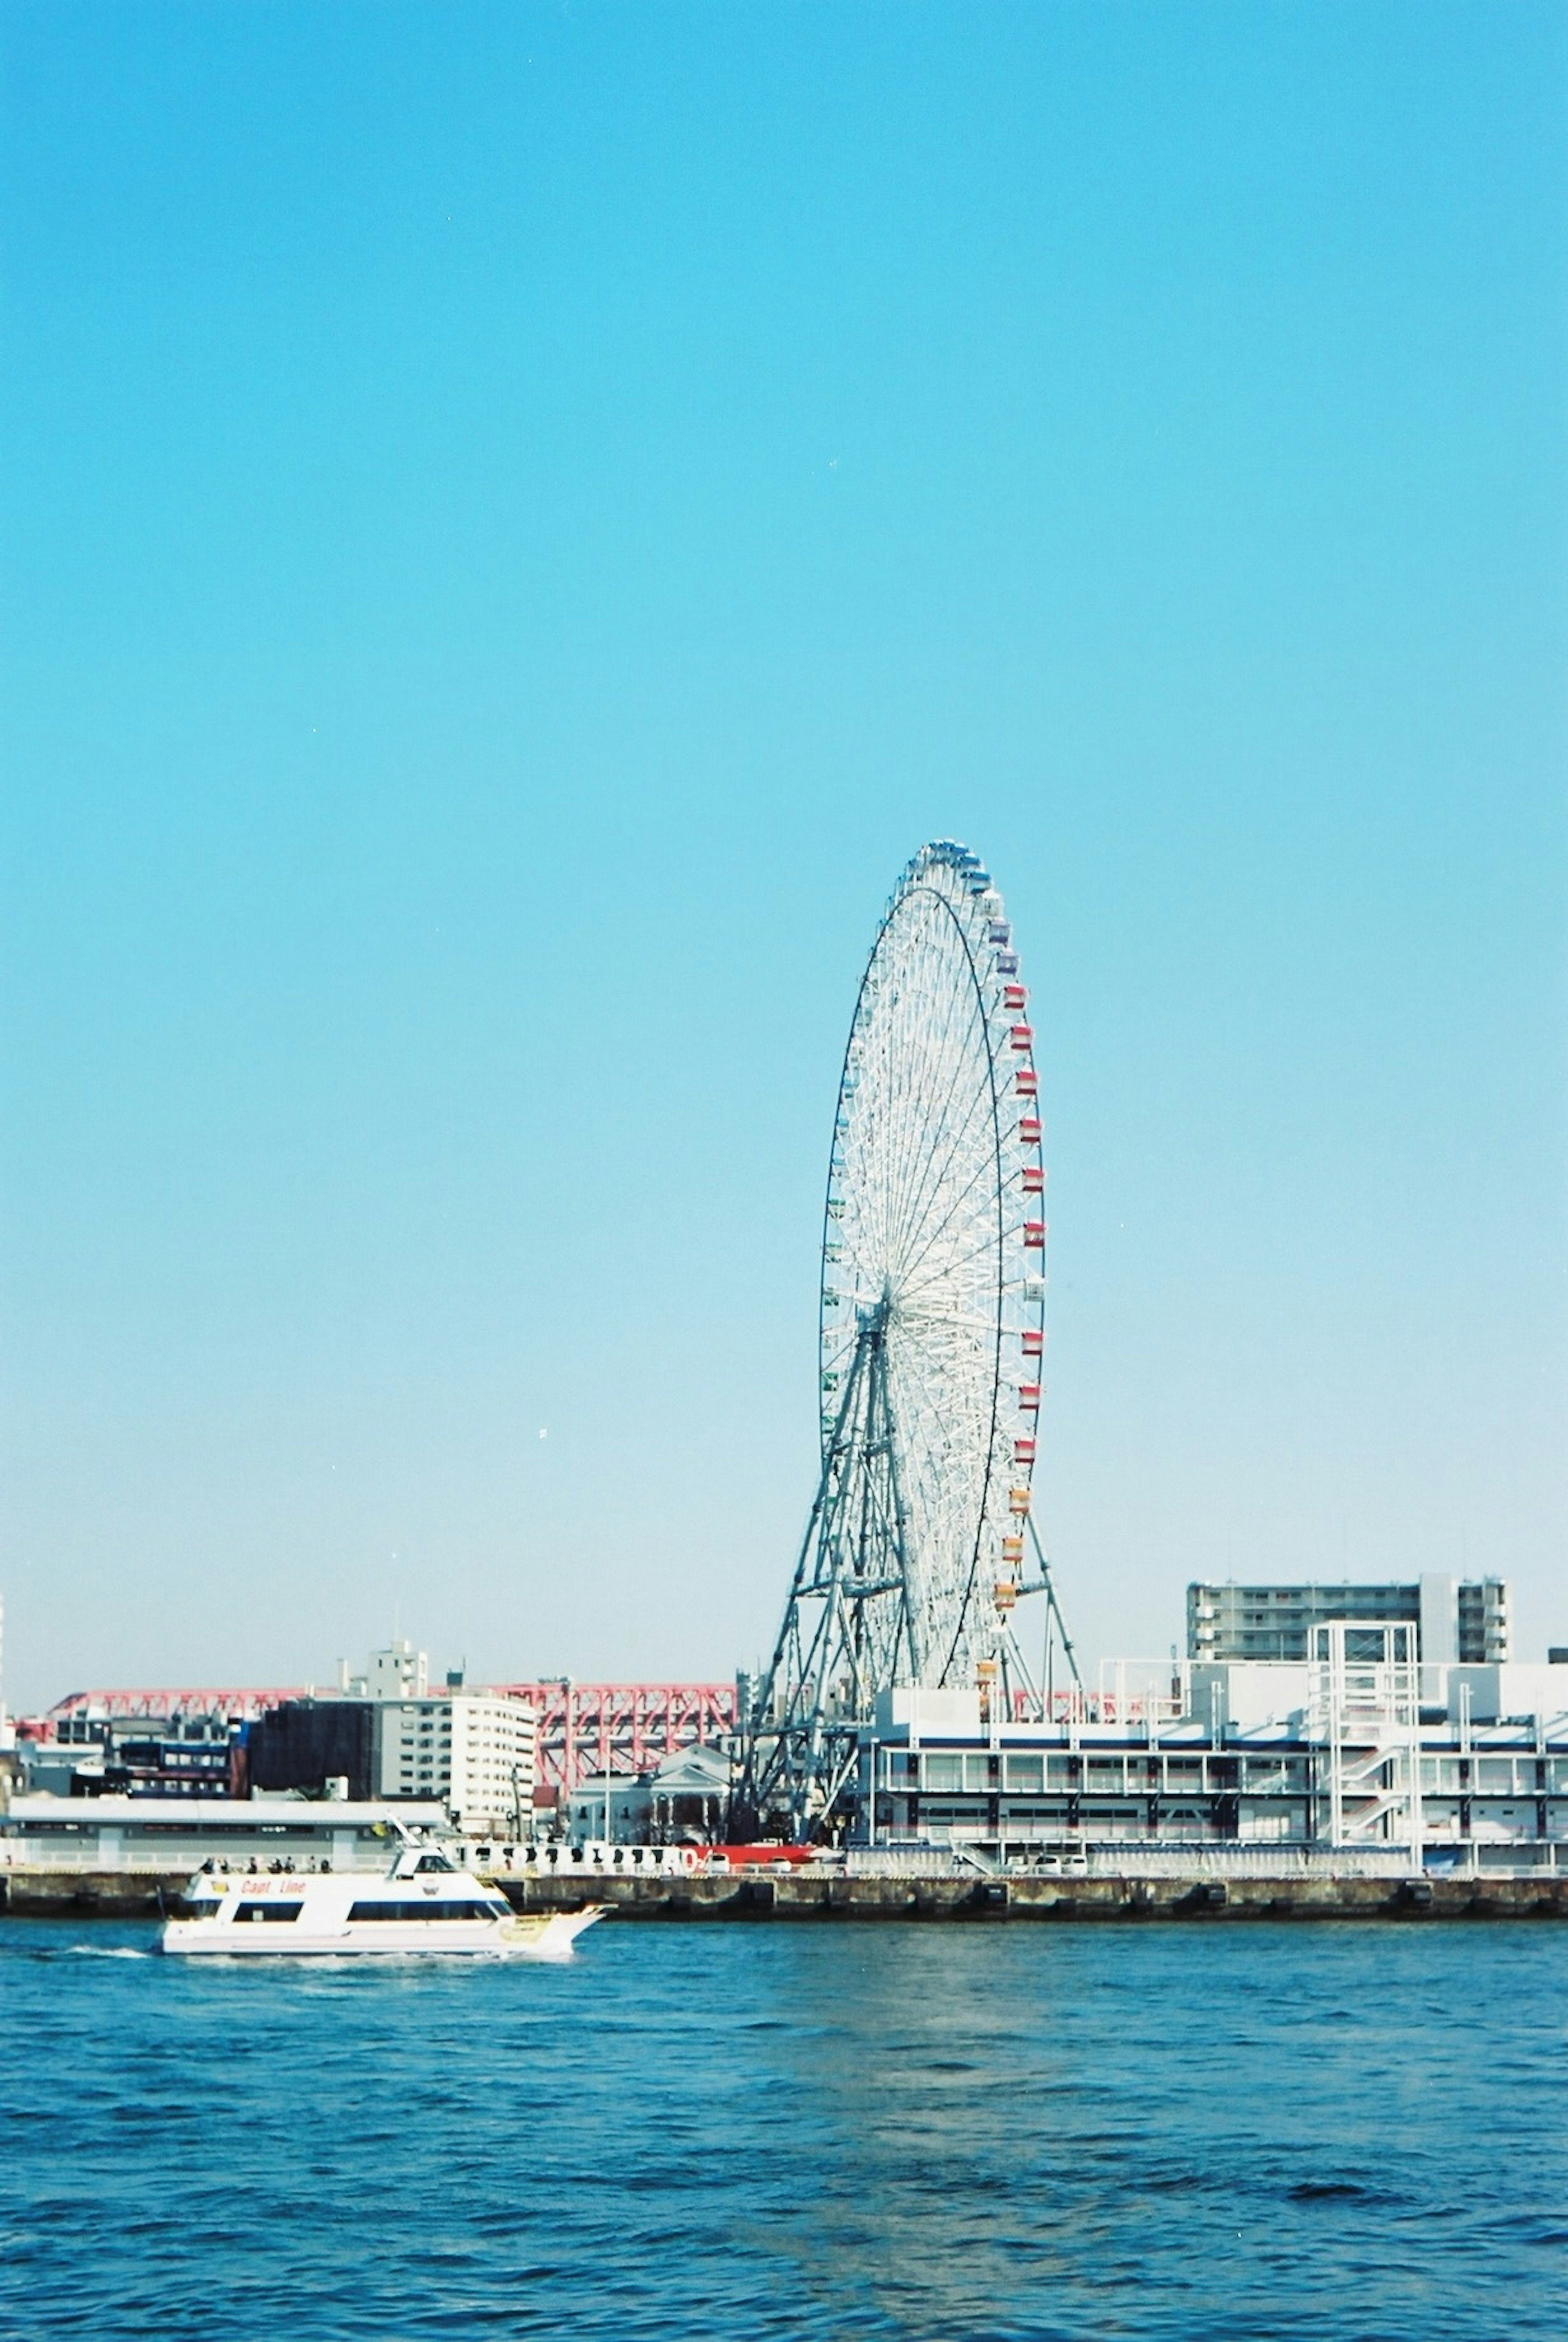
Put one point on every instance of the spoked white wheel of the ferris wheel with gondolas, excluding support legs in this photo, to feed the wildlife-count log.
(935, 1228)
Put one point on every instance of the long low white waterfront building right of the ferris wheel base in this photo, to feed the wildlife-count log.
(1335, 1760)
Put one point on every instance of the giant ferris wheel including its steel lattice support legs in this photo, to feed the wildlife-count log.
(933, 1336)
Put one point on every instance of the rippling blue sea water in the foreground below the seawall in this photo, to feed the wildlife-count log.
(1209, 2130)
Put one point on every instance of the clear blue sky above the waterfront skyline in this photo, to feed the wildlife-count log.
(516, 523)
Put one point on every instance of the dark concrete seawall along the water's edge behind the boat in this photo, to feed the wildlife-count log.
(825, 1896)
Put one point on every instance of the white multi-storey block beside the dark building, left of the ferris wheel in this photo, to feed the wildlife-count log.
(472, 1751)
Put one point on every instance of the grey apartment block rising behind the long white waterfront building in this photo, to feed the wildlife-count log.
(1457, 1619)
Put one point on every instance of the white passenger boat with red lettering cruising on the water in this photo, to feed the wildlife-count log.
(422, 1905)
